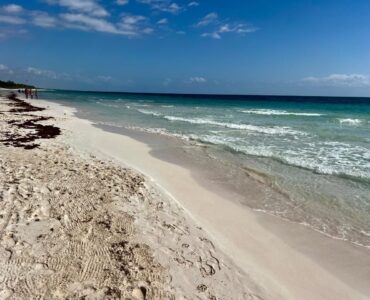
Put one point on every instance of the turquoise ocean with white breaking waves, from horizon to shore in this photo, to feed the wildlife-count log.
(314, 152)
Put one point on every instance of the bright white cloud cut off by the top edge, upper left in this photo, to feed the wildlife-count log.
(90, 7)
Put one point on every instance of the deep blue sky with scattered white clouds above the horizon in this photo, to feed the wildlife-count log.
(285, 47)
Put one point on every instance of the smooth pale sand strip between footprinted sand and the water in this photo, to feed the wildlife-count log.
(341, 278)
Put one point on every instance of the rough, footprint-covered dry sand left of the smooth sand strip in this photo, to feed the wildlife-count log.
(76, 227)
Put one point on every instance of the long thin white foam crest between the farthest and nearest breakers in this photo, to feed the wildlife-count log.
(253, 128)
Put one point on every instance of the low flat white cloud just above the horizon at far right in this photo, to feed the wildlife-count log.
(350, 80)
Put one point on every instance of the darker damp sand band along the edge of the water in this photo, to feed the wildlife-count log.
(348, 262)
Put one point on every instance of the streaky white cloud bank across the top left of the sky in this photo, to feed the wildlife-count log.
(91, 15)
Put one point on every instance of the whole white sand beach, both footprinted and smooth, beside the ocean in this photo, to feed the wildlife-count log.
(127, 224)
